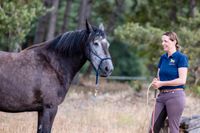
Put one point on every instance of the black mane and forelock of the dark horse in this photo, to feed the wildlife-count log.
(70, 43)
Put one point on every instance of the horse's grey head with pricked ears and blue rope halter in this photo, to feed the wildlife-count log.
(98, 50)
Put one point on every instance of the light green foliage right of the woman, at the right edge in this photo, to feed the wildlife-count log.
(189, 34)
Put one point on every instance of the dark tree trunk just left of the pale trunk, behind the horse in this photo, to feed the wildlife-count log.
(41, 29)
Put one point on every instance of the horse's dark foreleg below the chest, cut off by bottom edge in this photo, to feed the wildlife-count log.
(45, 119)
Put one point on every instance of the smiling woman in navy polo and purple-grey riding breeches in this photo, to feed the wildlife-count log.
(172, 74)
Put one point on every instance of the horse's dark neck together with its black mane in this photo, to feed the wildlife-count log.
(66, 62)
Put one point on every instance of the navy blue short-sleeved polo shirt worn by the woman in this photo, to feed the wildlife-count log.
(169, 67)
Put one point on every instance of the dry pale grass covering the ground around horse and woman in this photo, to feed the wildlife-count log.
(116, 109)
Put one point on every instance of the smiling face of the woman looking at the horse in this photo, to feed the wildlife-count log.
(167, 43)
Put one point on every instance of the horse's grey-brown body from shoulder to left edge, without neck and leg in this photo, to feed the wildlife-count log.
(27, 81)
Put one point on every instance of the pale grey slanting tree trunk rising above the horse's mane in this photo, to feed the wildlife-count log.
(52, 22)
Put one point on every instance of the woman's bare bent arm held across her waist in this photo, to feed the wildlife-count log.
(179, 81)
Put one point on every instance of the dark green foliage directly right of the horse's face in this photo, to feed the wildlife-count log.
(125, 61)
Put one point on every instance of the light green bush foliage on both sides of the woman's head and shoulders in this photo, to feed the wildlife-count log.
(146, 40)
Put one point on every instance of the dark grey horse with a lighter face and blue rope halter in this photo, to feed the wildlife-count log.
(38, 77)
